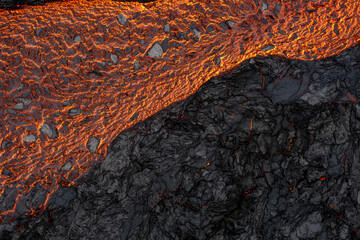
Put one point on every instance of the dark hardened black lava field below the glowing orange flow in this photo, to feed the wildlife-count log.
(269, 151)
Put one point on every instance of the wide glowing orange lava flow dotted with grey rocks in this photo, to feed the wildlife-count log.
(75, 74)
